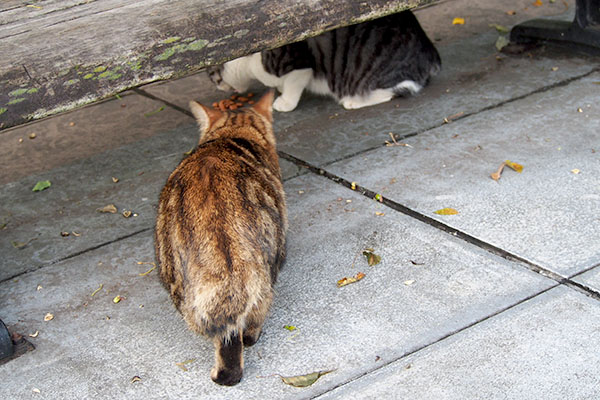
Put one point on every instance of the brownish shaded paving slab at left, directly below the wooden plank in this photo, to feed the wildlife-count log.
(79, 134)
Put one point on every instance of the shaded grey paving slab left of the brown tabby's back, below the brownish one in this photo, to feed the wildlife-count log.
(79, 188)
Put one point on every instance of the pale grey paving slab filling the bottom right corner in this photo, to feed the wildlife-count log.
(545, 348)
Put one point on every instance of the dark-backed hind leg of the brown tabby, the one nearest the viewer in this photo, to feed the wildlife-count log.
(229, 360)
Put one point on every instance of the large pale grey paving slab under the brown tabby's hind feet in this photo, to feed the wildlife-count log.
(428, 285)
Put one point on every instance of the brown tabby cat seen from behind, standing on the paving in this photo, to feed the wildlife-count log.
(220, 231)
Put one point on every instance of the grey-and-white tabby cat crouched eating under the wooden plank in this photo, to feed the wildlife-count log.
(359, 65)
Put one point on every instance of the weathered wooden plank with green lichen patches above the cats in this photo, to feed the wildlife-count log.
(58, 54)
